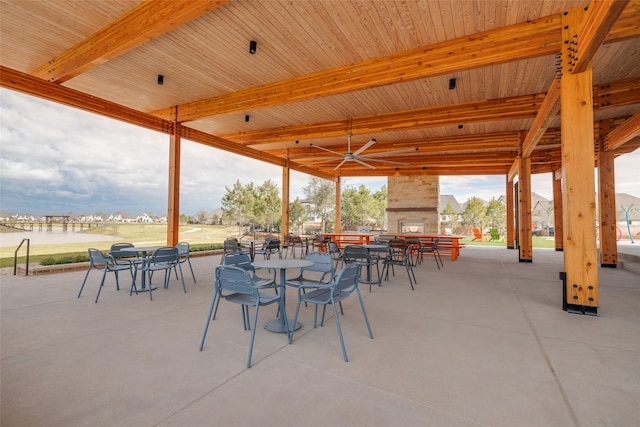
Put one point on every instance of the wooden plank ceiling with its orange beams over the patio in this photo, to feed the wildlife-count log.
(374, 69)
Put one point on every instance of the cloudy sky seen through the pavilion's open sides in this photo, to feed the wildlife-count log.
(56, 160)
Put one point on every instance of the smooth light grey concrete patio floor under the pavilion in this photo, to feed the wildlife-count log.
(482, 342)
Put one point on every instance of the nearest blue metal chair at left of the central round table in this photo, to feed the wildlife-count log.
(234, 284)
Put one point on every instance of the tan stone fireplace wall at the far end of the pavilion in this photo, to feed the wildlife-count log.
(413, 200)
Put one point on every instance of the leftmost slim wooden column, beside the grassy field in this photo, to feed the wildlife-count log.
(173, 208)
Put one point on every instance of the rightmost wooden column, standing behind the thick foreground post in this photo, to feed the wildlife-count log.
(607, 205)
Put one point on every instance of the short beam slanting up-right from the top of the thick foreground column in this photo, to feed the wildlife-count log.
(599, 20)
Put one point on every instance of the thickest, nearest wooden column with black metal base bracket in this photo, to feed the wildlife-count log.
(578, 188)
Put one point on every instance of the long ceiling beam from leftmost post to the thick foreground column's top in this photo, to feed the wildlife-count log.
(512, 43)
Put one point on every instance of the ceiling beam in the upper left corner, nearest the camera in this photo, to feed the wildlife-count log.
(148, 20)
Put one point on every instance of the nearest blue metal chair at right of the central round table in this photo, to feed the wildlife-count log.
(340, 288)
